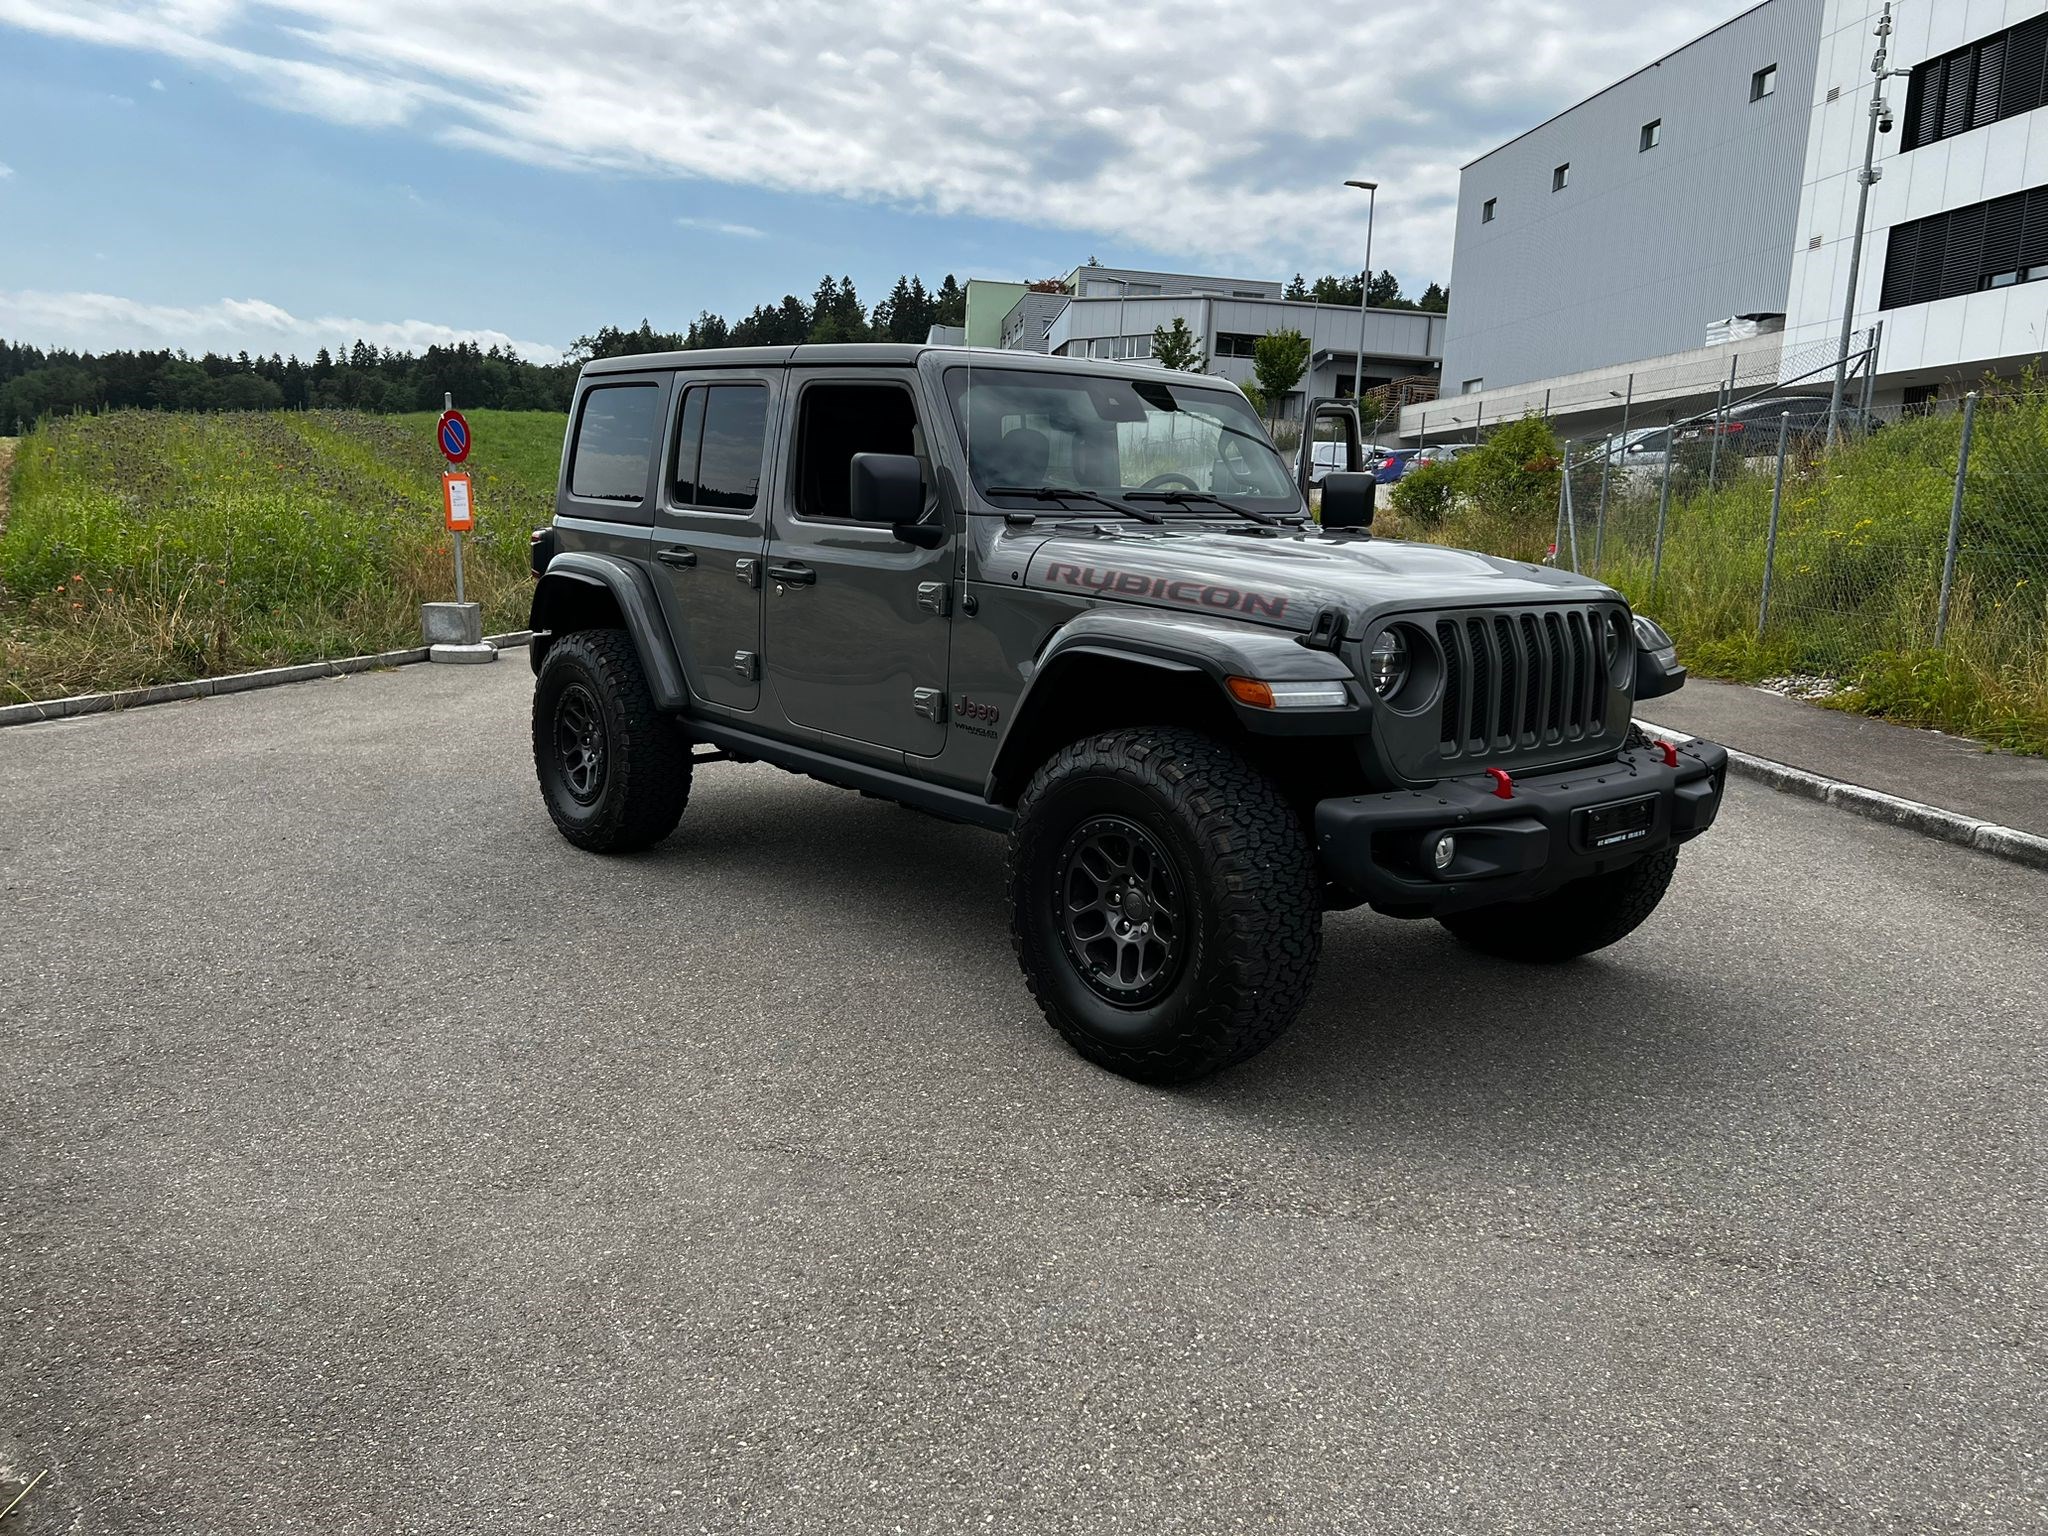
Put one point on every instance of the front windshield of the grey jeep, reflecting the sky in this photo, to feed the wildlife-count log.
(1115, 437)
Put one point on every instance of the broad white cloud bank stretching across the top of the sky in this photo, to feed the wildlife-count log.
(1213, 130)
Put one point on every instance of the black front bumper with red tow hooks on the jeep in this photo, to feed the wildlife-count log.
(1558, 828)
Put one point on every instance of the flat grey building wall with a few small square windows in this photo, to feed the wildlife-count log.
(1644, 249)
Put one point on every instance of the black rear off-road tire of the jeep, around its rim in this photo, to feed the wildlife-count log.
(644, 777)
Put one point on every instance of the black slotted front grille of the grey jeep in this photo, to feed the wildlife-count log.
(1527, 681)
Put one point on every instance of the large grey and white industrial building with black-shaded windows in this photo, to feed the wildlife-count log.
(1695, 222)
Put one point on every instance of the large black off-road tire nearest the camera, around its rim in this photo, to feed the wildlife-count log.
(1248, 884)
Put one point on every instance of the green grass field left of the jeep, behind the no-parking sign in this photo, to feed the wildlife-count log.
(153, 548)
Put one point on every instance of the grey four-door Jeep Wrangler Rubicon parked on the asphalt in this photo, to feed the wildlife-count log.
(1086, 605)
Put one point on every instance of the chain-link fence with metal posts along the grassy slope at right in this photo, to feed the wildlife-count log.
(1906, 531)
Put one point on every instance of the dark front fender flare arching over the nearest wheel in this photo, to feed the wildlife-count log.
(1187, 648)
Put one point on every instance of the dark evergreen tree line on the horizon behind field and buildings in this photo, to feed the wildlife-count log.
(60, 382)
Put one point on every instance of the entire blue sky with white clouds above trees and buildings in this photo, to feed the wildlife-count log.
(296, 173)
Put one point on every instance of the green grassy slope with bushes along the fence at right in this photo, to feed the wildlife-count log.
(1857, 579)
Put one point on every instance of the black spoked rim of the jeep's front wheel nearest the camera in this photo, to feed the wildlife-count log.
(1121, 910)
